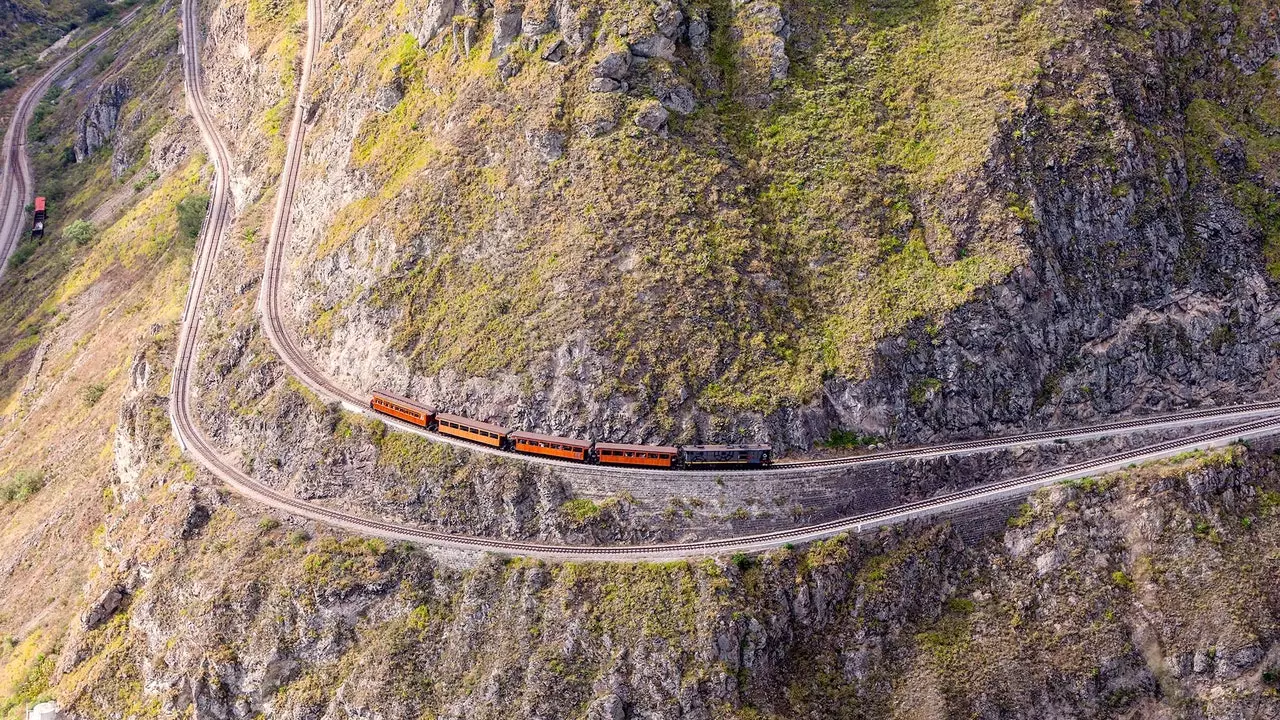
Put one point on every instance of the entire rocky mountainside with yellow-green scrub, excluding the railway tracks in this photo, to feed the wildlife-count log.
(655, 221)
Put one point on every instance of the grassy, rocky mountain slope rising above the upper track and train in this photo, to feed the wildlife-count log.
(633, 225)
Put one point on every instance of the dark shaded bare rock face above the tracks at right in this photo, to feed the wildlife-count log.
(1145, 288)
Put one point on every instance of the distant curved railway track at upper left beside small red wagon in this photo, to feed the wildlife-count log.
(17, 179)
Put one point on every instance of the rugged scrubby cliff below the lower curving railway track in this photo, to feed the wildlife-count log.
(1150, 594)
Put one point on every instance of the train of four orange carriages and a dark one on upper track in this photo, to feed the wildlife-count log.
(664, 457)
